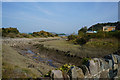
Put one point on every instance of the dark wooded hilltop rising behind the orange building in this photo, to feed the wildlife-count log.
(99, 26)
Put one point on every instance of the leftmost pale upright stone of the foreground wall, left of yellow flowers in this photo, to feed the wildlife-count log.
(56, 74)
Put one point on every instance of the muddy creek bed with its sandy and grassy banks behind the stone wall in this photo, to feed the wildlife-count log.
(40, 55)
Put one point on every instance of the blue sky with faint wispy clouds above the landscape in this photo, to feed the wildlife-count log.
(59, 17)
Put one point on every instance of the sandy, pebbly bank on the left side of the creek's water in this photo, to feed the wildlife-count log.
(20, 63)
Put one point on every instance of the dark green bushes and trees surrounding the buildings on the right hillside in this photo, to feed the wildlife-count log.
(83, 37)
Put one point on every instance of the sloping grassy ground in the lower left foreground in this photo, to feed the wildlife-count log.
(16, 65)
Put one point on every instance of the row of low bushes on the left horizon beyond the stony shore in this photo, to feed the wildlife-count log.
(13, 33)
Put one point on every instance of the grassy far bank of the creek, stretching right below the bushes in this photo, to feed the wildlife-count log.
(93, 48)
